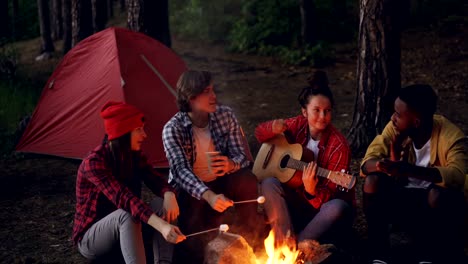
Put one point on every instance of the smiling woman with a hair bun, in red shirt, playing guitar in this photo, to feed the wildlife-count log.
(317, 209)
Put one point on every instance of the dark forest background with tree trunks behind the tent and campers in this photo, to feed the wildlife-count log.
(260, 52)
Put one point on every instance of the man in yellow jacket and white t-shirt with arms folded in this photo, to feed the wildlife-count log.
(415, 174)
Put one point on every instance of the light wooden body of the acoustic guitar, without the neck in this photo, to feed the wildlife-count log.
(270, 161)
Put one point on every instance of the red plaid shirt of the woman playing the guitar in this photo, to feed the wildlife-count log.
(334, 154)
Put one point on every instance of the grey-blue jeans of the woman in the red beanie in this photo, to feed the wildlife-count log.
(120, 230)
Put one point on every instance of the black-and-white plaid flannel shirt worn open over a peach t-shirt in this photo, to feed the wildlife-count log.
(181, 152)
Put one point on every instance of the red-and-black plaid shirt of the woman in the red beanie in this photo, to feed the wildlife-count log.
(97, 188)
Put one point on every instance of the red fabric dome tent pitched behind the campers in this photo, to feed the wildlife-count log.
(114, 64)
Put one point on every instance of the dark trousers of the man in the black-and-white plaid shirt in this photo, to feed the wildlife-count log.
(197, 215)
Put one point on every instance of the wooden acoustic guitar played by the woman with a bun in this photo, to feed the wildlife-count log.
(277, 158)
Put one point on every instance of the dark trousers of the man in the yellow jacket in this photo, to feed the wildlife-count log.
(433, 216)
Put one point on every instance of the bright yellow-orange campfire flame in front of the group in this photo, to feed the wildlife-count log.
(278, 255)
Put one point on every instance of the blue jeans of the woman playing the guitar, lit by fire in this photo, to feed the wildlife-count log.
(288, 211)
